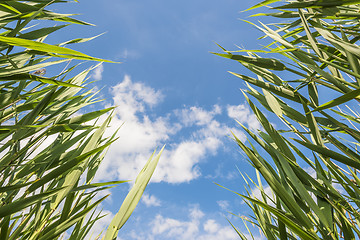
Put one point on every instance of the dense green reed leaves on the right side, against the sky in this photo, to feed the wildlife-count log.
(312, 165)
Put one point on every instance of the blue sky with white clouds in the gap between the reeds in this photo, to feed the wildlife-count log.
(171, 90)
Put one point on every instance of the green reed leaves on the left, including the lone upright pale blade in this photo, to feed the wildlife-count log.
(50, 150)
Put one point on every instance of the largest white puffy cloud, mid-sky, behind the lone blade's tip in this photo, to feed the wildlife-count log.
(141, 133)
